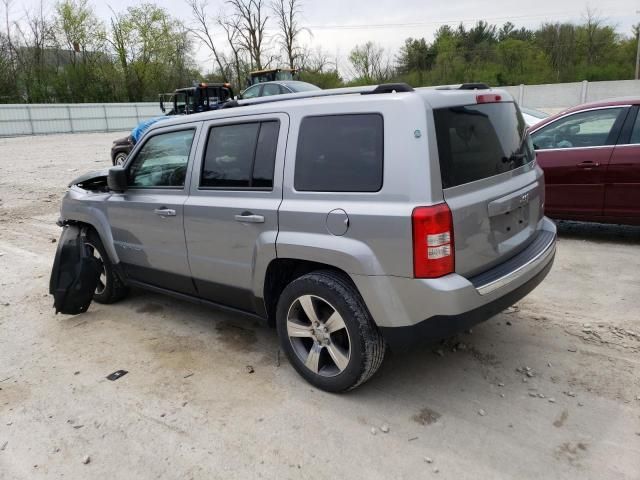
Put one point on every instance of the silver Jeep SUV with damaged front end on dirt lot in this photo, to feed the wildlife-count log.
(351, 219)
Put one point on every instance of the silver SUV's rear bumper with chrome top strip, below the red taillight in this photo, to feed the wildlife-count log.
(409, 310)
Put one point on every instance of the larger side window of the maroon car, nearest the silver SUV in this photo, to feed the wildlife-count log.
(585, 129)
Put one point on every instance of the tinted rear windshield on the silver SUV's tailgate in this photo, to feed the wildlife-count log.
(480, 141)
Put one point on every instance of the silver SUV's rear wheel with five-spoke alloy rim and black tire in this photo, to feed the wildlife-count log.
(327, 332)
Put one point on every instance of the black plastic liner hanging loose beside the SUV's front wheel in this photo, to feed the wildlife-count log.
(74, 275)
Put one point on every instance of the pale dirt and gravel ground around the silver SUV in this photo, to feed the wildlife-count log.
(549, 389)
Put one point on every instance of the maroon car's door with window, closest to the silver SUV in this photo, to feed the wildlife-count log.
(574, 152)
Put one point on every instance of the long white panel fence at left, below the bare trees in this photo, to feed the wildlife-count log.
(38, 119)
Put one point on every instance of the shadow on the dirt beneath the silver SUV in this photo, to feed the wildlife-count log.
(426, 373)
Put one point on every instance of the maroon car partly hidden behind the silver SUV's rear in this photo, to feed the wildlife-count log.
(590, 155)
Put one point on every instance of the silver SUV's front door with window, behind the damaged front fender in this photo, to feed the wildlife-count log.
(147, 219)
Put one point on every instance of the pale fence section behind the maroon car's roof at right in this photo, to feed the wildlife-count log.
(557, 96)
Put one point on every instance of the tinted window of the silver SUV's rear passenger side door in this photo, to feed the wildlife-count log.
(241, 156)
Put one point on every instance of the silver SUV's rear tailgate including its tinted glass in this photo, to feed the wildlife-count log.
(489, 181)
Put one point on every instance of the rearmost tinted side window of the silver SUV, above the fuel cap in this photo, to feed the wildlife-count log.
(340, 153)
